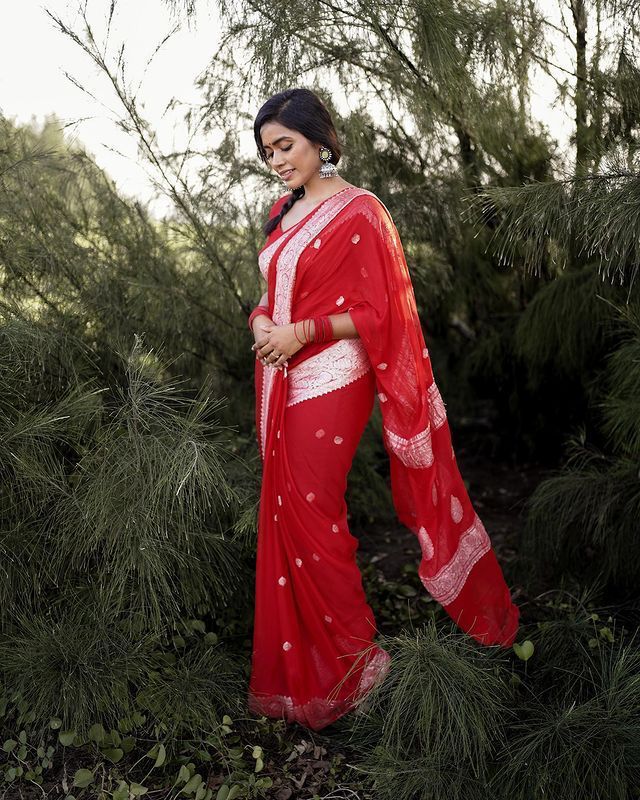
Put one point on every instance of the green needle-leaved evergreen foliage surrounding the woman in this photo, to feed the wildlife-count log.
(129, 487)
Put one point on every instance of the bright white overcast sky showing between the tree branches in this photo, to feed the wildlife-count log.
(34, 56)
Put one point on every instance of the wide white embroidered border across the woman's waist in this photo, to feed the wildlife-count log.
(333, 368)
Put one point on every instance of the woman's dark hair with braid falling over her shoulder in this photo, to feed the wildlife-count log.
(303, 111)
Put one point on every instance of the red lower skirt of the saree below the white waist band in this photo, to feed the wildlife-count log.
(313, 625)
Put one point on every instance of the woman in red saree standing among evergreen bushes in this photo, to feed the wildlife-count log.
(338, 325)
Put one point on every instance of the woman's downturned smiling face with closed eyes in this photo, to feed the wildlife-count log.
(290, 154)
